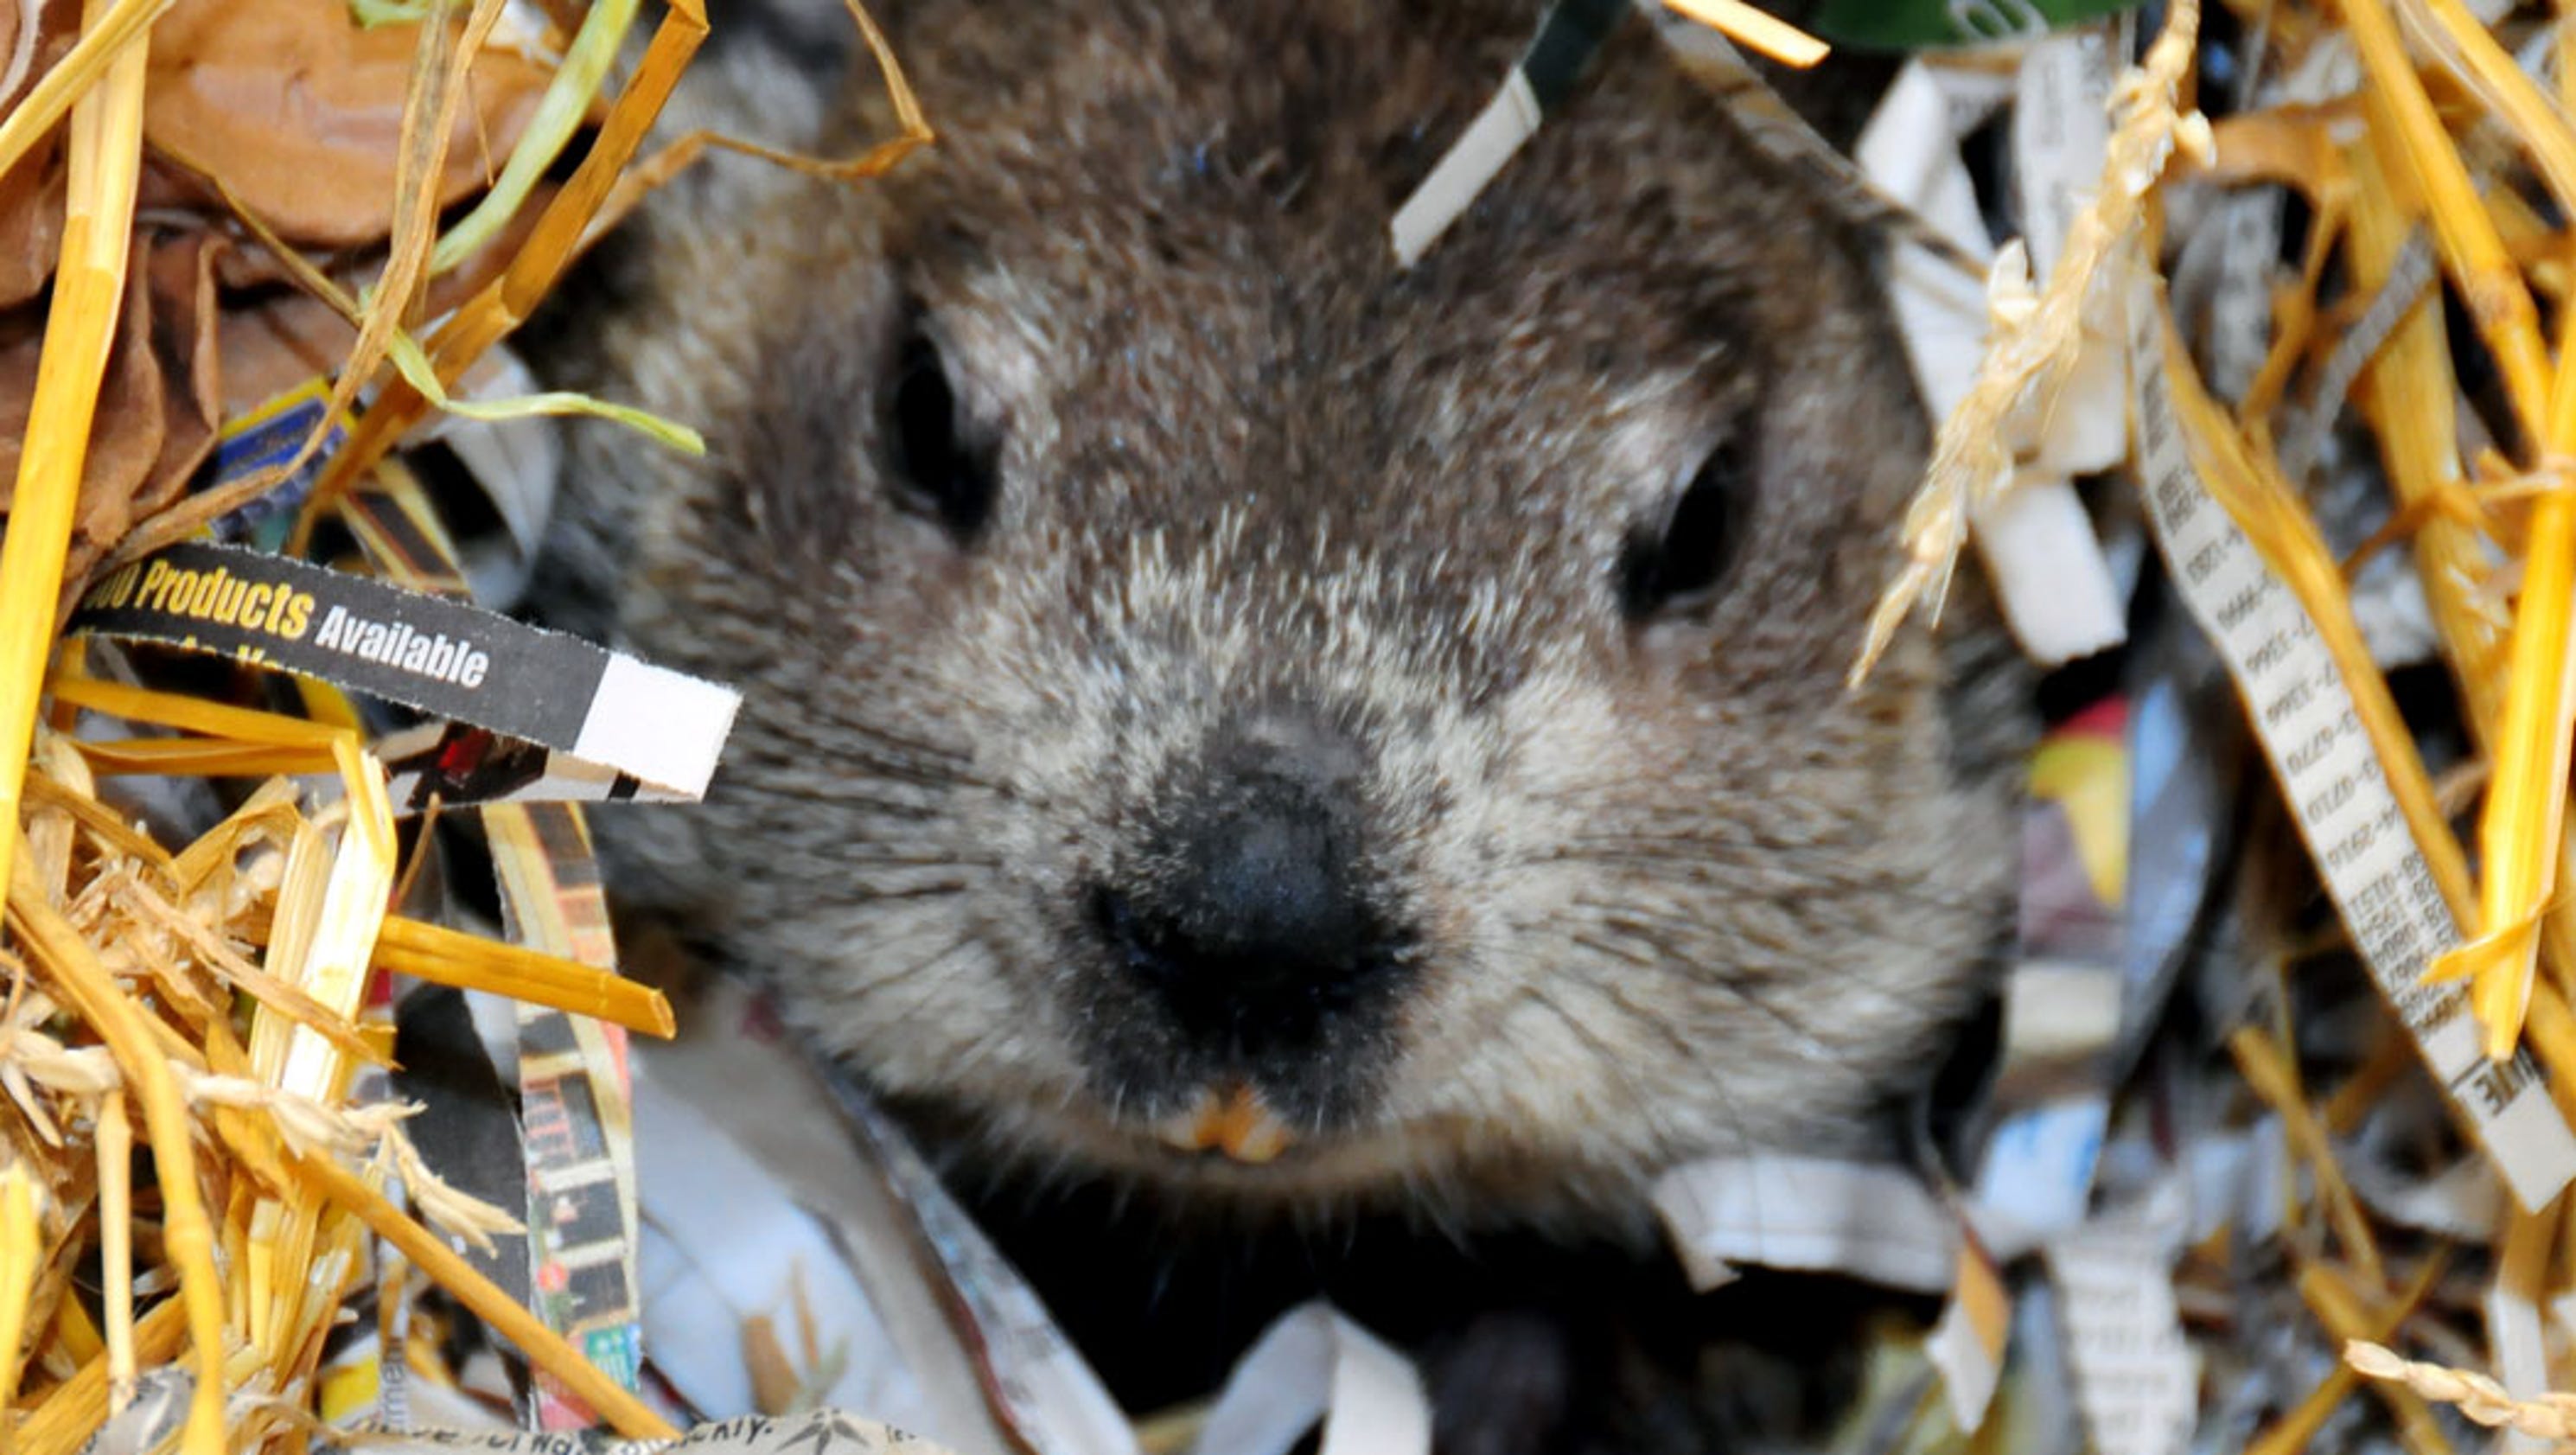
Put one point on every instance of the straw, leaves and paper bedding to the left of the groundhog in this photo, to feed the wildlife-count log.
(202, 1176)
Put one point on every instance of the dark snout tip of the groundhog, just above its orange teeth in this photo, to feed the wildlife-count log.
(1253, 913)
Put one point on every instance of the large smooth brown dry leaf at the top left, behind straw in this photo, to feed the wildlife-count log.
(300, 112)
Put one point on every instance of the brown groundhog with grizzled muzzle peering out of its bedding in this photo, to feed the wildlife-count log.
(1248, 738)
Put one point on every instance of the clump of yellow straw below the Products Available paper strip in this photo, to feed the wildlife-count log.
(130, 970)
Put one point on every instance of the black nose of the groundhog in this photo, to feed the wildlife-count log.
(1253, 915)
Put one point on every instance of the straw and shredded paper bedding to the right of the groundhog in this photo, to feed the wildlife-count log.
(2366, 527)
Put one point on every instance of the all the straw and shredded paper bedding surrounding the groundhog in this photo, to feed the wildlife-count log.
(2214, 1194)
